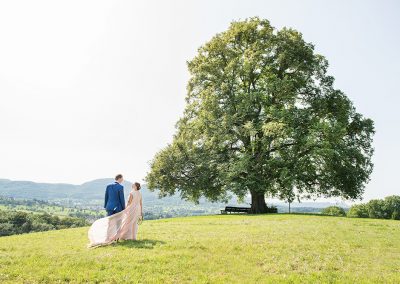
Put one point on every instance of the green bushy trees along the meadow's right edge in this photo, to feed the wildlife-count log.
(388, 208)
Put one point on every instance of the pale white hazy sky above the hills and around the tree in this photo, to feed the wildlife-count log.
(89, 89)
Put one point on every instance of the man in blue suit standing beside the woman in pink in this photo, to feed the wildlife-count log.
(114, 200)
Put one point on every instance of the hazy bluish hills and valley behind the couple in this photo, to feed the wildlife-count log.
(90, 195)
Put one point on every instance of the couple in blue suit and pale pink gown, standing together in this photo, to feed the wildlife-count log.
(122, 221)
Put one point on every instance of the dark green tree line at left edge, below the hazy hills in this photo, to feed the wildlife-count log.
(18, 222)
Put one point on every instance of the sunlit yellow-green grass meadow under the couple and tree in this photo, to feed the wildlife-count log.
(214, 249)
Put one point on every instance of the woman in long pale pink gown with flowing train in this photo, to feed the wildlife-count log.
(120, 226)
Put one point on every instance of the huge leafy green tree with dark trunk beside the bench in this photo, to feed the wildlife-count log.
(263, 117)
